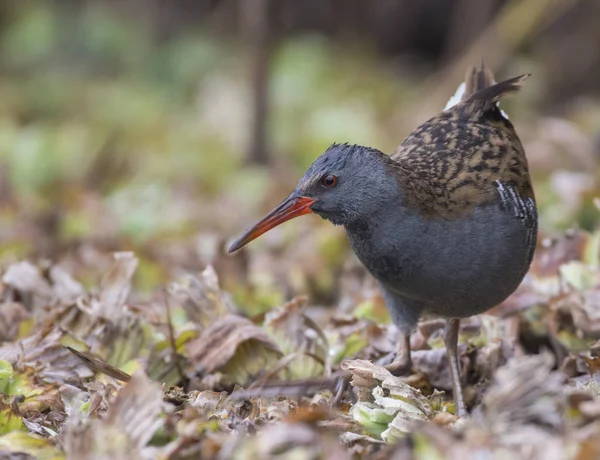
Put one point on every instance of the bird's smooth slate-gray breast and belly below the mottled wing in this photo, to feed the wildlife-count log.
(455, 267)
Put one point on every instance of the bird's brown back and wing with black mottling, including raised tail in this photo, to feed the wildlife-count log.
(459, 159)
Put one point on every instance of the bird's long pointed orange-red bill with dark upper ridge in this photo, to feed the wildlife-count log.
(292, 206)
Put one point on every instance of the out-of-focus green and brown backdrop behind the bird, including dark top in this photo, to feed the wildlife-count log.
(167, 127)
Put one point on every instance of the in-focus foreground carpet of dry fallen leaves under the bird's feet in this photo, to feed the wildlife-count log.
(93, 373)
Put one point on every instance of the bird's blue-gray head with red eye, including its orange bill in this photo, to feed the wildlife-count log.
(347, 184)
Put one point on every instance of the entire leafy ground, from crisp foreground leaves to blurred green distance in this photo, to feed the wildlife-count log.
(125, 332)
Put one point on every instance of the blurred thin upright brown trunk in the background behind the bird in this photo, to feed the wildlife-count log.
(256, 23)
